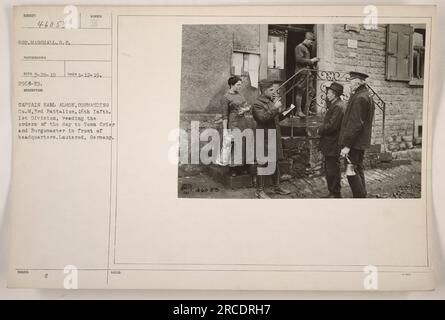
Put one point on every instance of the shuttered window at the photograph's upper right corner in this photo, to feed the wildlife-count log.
(405, 53)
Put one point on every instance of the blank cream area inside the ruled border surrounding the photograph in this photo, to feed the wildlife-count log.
(293, 232)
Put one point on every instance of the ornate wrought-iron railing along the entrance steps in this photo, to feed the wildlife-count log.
(318, 100)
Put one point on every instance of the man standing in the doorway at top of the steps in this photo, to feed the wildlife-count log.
(303, 80)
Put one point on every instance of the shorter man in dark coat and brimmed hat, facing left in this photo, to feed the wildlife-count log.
(329, 132)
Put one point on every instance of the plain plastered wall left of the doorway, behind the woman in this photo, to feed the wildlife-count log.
(206, 64)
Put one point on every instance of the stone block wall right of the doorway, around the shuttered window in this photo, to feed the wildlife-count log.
(403, 101)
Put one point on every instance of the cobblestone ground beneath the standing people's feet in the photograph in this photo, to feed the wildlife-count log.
(399, 182)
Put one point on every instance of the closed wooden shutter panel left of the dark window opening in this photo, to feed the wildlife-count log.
(399, 52)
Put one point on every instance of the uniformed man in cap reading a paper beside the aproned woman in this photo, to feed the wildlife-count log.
(266, 111)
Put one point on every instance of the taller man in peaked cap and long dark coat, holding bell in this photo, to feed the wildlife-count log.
(355, 133)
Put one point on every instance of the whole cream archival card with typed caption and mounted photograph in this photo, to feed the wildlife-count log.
(241, 148)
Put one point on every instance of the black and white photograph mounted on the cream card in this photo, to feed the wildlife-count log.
(301, 111)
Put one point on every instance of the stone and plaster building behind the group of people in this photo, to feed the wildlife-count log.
(393, 56)
